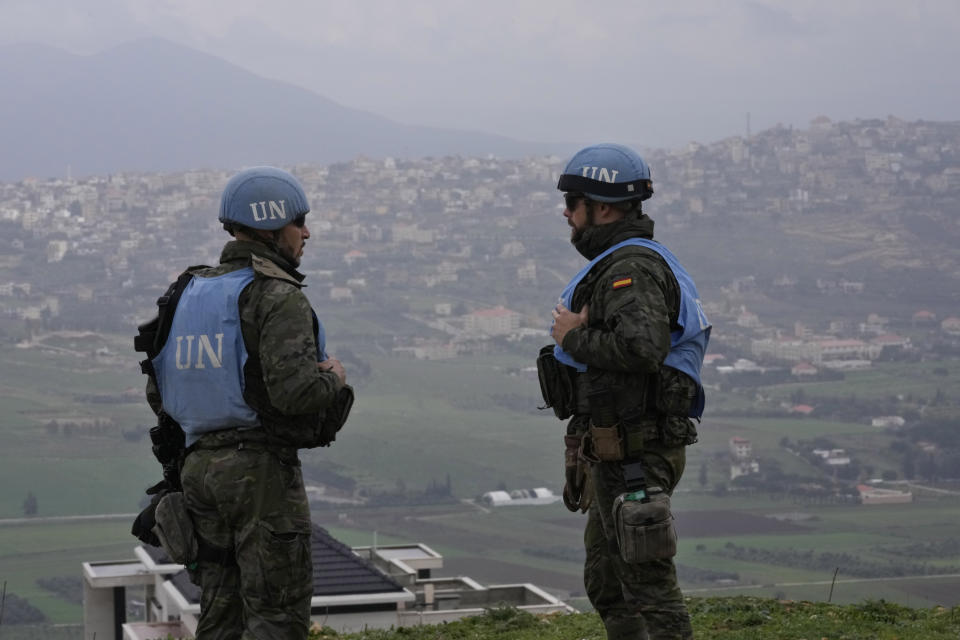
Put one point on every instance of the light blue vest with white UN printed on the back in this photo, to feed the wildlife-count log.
(199, 370)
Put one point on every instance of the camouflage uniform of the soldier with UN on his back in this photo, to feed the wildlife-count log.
(244, 489)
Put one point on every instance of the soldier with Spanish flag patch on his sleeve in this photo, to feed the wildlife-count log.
(630, 338)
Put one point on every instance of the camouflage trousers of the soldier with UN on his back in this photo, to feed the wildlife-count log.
(253, 502)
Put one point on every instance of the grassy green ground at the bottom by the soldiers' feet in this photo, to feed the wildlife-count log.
(713, 619)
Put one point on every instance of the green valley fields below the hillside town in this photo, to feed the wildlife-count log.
(474, 420)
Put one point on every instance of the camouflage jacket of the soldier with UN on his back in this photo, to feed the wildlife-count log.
(282, 381)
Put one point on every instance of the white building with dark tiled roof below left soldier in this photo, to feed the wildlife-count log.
(366, 587)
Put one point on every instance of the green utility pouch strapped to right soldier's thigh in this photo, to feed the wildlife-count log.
(644, 526)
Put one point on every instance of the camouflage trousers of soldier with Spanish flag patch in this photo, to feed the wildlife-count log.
(635, 601)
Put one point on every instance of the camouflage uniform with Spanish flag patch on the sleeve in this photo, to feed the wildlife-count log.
(625, 341)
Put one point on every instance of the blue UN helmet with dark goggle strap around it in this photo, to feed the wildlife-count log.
(607, 173)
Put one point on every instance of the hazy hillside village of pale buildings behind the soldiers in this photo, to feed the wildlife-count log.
(471, 249)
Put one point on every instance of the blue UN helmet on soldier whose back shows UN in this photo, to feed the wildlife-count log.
(262, 198)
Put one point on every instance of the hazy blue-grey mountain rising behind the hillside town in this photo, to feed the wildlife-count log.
(151, 105)
